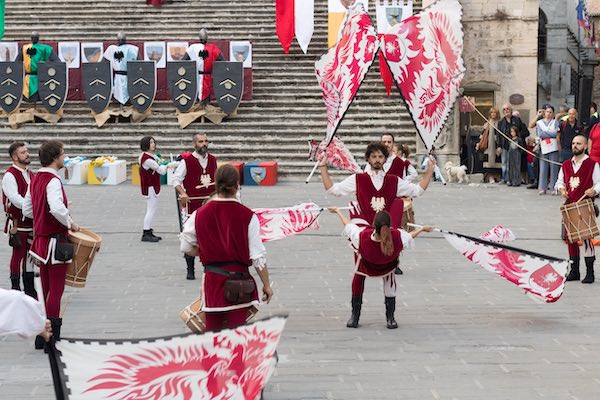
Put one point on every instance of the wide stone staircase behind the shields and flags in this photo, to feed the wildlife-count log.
(287, 108)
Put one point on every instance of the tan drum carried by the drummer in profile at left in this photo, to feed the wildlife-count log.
(85, 246)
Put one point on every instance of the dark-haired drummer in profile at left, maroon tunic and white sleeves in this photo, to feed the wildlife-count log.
(46, 202)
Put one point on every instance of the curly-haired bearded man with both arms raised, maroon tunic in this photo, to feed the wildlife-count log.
(375, 191)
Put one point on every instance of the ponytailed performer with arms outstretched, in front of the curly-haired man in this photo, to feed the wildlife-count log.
(378, 247)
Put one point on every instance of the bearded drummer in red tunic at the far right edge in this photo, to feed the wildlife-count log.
(579, 177)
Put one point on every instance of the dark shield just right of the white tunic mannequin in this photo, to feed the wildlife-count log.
(141, 84)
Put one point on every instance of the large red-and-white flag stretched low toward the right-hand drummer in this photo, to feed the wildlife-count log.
(541, 277)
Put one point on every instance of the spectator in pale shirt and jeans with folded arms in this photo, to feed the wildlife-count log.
(547, 130)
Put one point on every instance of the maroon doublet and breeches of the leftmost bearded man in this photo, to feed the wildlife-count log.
(24, 225)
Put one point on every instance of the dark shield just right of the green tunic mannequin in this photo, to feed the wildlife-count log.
(52, 77)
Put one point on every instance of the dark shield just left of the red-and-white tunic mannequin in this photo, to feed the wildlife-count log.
(182, 83)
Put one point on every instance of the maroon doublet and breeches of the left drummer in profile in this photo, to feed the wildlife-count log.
(45, 225)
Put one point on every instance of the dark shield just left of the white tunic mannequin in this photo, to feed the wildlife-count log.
(97, 85)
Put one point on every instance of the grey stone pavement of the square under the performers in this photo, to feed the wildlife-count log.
(464, 333)
